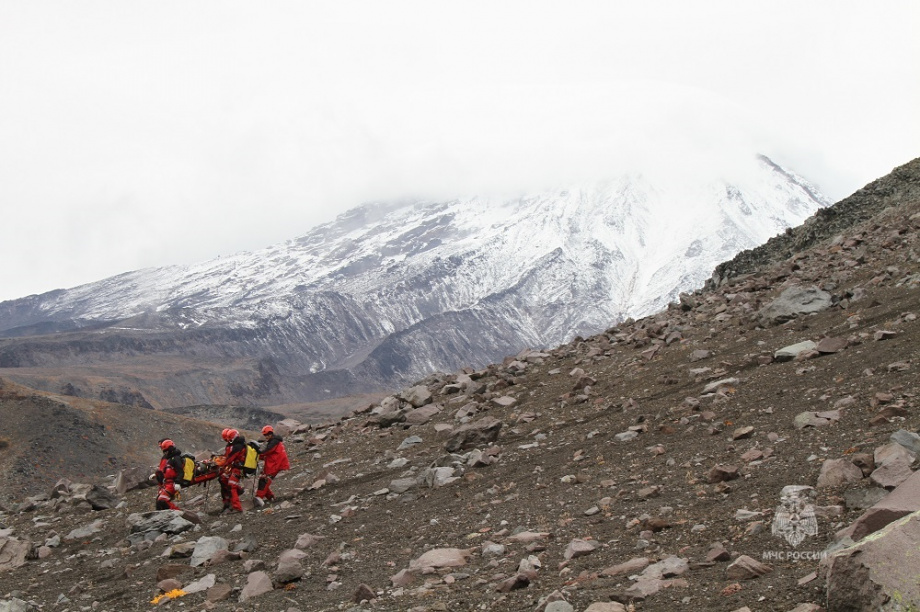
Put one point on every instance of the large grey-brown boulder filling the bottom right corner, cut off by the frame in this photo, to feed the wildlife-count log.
(875, 574)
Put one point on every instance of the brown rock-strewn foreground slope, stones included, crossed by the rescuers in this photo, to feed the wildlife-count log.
(643, 466)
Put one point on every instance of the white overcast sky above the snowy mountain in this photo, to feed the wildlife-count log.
(136, 134)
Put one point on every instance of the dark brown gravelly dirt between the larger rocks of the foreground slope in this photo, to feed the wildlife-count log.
(561, 470)
